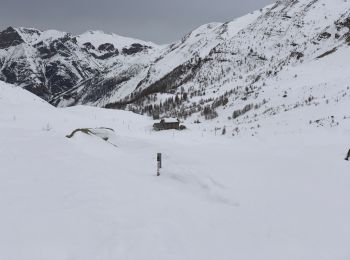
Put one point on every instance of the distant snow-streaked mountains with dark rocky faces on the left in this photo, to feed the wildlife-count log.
(49, 63)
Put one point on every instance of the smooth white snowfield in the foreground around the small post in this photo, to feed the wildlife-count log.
(282, 194)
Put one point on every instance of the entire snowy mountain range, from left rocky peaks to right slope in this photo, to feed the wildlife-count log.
(235, 66)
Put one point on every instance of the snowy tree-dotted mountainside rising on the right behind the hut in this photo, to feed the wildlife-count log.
(245, 63)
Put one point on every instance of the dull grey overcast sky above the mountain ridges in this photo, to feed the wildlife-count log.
(161, 21)
